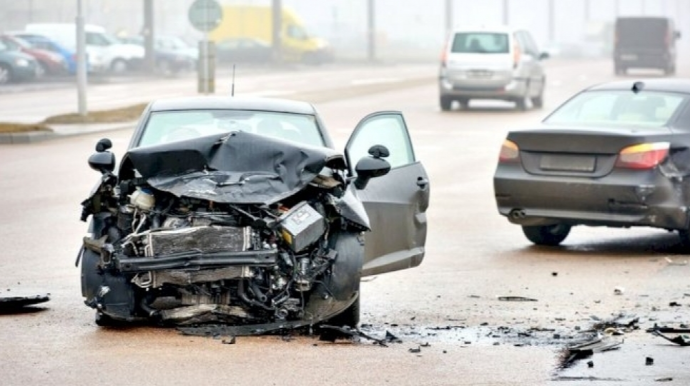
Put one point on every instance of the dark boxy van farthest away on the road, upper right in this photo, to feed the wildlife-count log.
(645, 42)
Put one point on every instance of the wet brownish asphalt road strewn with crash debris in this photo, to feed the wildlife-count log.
(450, 301)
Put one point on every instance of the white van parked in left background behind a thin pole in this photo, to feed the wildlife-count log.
(104, 50)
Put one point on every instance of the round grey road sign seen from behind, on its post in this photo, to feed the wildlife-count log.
(205, 16)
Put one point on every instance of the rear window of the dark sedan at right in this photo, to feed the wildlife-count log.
(617, 108)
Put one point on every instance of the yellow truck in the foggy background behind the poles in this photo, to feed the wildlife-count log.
(256, 22)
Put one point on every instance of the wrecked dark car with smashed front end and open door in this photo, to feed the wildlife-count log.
(239, 211)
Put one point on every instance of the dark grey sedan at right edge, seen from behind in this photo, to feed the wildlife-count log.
(616, 154)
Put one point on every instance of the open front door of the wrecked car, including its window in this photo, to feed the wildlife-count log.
(396, 203)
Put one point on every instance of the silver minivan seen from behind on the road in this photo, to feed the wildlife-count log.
(492, 63)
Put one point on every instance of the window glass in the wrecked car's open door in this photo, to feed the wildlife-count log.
(388, 130)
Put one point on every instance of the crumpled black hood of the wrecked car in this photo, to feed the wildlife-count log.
(232, 168)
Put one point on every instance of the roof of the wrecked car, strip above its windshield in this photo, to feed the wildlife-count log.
(233, 103)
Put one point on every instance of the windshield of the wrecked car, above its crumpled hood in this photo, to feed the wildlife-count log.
(171, 126)
